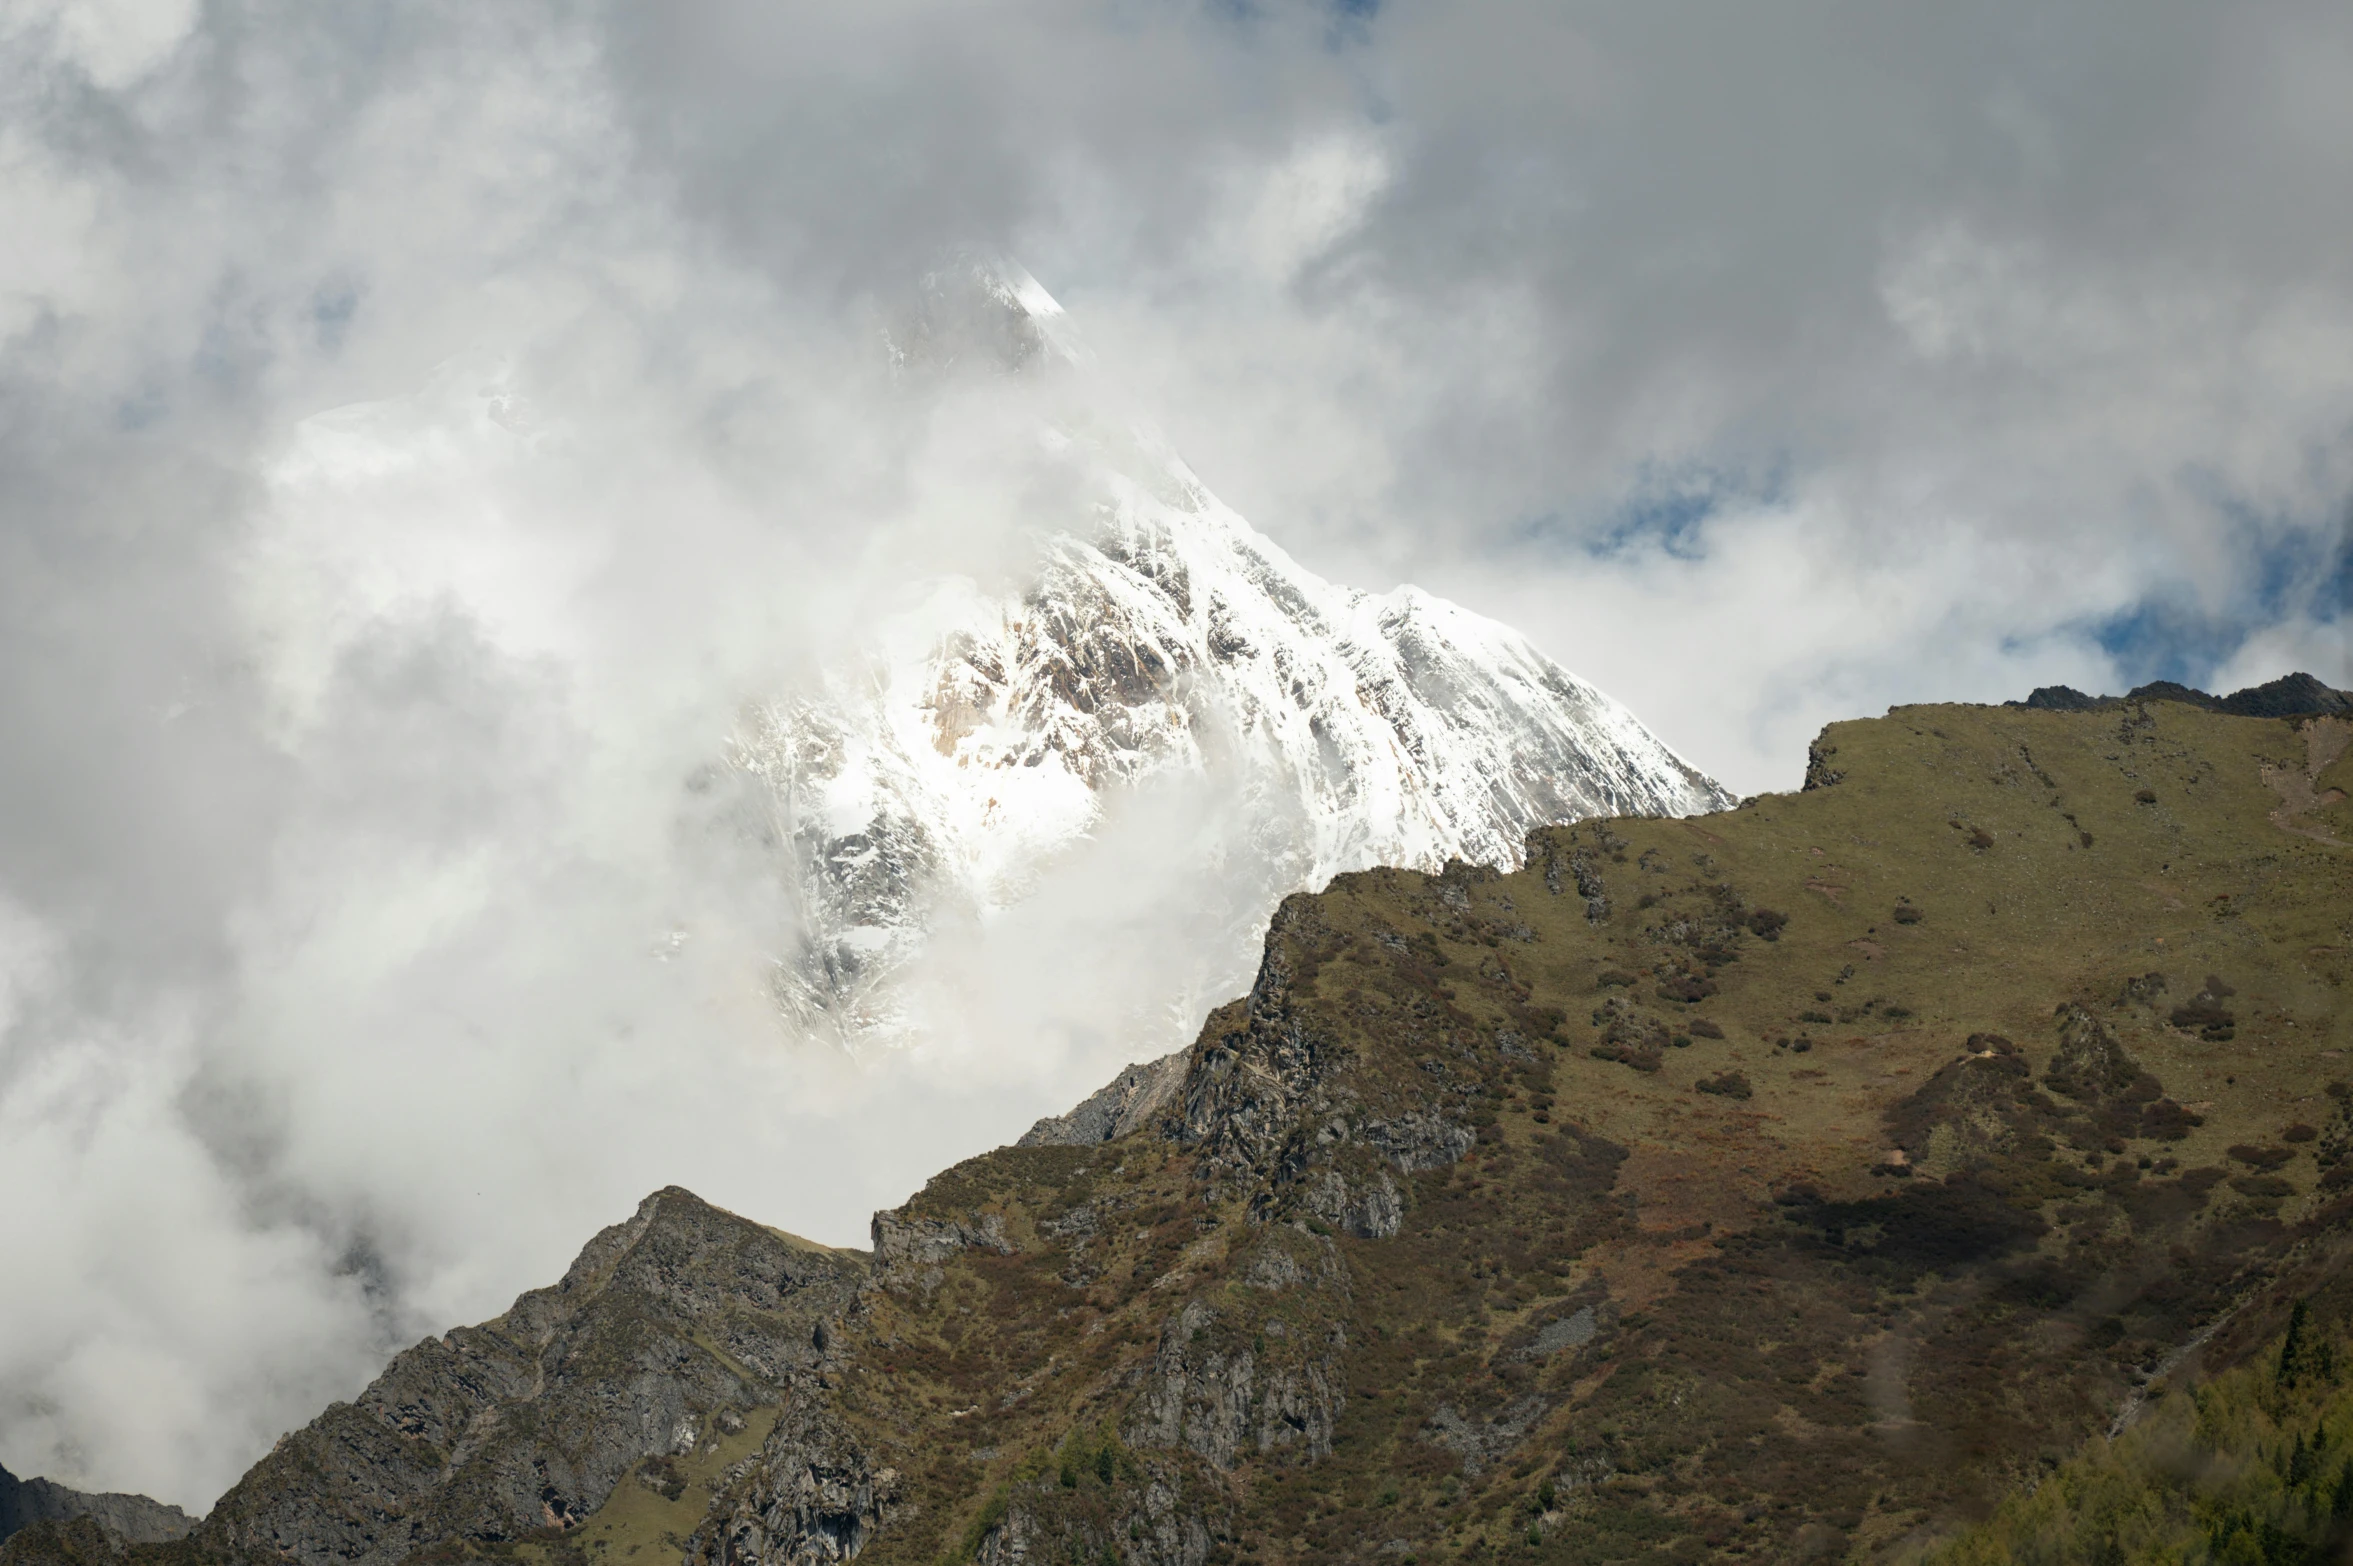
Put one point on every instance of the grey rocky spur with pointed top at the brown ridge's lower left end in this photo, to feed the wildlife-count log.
(662, 1332)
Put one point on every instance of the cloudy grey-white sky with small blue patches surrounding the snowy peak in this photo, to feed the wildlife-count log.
(425, 427)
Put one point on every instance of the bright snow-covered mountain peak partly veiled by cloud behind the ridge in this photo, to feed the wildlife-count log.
(1161, 638)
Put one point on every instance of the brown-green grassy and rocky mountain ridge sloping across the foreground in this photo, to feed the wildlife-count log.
(1801, 1182)
